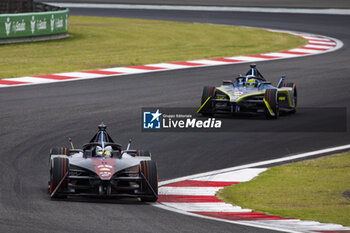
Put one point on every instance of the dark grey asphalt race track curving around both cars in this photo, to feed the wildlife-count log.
(35, 118)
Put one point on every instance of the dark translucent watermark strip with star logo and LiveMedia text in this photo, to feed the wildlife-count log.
(160, 119)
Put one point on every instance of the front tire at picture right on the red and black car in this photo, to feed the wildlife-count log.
(149, 186)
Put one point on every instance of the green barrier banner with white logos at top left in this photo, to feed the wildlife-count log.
(33, 24)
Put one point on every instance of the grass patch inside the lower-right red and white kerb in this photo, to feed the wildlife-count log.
(309, 190)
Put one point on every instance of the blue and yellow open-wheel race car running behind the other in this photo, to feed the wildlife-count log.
(250, 93)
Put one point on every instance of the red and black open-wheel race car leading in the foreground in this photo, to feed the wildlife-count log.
(103, 169)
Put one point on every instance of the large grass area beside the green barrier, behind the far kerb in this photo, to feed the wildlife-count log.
(97, 42)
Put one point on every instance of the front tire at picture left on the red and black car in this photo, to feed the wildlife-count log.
(58, 170)
